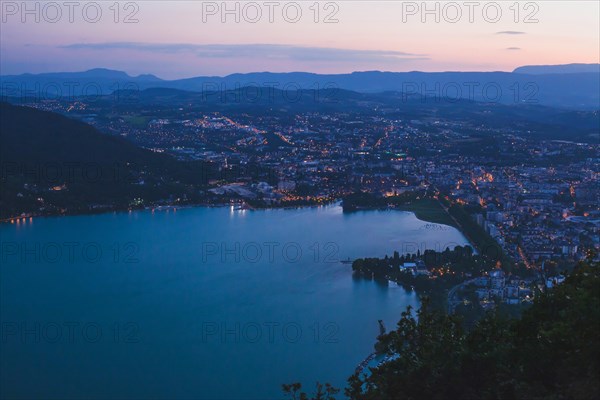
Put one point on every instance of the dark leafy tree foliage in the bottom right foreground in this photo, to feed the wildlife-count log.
(551, 352)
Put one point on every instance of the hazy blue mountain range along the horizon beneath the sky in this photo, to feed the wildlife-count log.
(572, 86)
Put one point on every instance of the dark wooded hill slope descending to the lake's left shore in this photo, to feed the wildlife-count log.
(52, 164)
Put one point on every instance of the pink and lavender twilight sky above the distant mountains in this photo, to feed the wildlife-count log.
(179, 39)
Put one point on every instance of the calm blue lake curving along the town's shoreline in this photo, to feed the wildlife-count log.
(214, 303)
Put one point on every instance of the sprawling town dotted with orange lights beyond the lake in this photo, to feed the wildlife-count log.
(535, 196)
